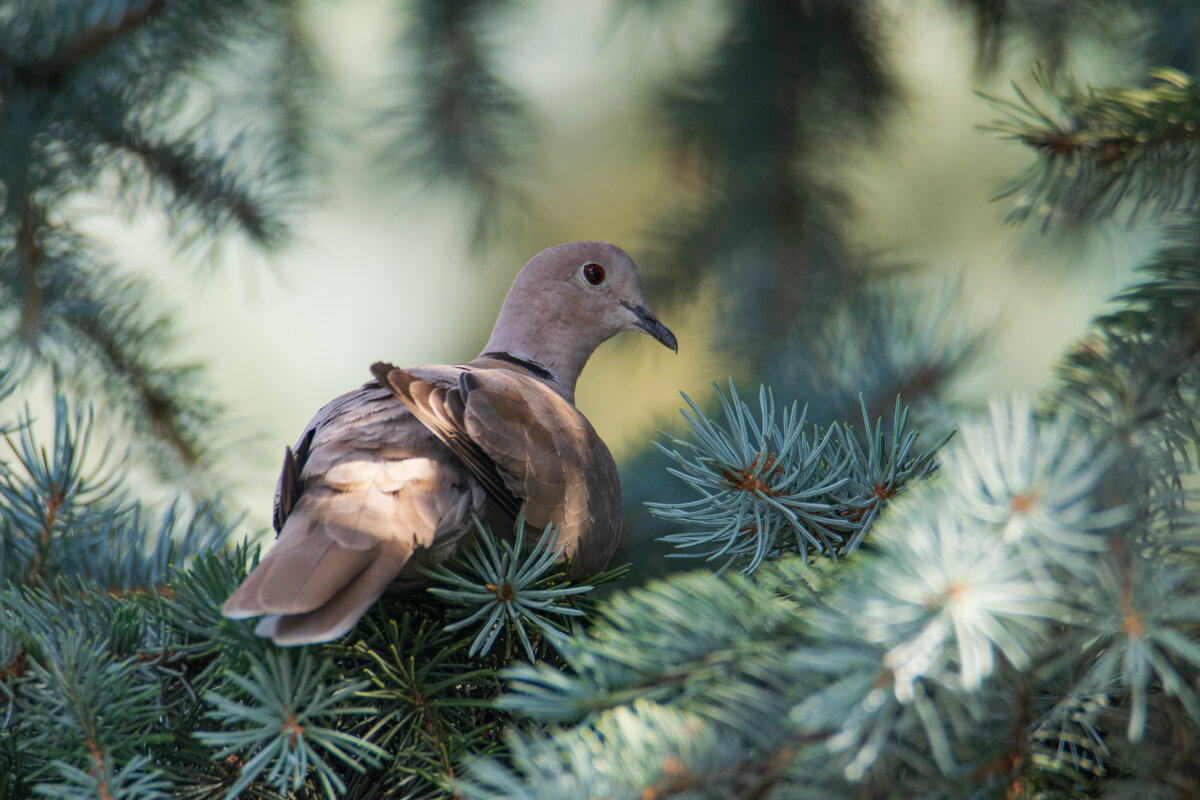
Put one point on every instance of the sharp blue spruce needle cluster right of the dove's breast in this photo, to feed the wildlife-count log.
(770, 488)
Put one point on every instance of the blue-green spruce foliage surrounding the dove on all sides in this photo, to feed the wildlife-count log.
(1018, 622)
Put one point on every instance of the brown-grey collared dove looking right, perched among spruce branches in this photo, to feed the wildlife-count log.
(393, 476)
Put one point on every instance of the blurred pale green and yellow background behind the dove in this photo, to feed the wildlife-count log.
(806, 187)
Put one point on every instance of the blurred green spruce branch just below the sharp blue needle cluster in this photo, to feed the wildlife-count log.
(645, 645)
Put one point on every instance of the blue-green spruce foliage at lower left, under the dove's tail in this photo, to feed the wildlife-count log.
(119, 677)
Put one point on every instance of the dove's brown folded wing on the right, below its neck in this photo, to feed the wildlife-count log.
(548, 453)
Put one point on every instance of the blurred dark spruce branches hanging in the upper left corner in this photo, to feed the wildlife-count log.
(83, 115)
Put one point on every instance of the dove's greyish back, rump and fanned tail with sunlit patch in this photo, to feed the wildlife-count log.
(374, 486)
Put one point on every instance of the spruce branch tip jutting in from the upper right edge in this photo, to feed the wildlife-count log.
(1099, 148)
